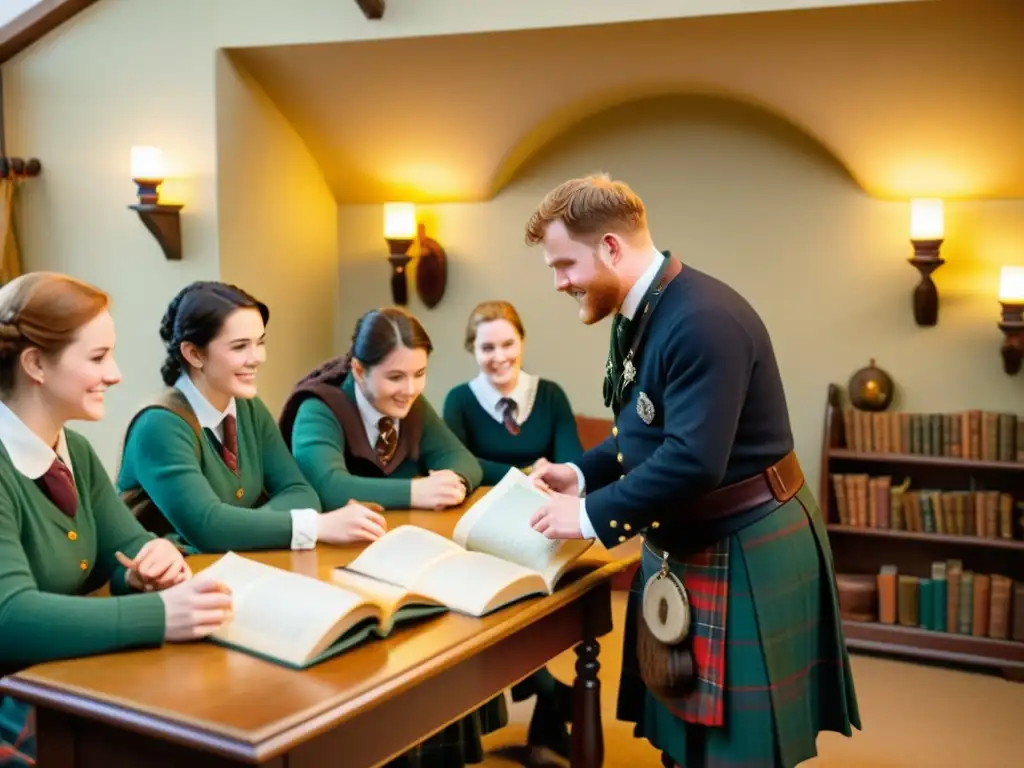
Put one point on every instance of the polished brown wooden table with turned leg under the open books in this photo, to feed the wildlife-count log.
(201, 705)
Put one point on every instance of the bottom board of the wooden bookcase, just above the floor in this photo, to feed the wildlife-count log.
(942, 647)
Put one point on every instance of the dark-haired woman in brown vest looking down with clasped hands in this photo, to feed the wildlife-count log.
(361, 429)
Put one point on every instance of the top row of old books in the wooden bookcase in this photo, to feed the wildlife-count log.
(977, 436)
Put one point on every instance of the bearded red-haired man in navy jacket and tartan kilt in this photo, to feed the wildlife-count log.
(701, 464)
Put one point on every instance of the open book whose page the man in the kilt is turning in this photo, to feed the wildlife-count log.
(494, 559)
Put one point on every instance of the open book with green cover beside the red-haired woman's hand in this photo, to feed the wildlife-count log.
(298, 621)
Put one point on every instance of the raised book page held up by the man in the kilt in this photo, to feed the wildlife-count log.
(499, 525)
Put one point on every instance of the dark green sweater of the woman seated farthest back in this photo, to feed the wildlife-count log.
(549, 432)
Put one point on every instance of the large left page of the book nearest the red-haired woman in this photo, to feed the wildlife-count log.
(285, 616)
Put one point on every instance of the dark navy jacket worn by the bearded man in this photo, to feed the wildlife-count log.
(708, 367)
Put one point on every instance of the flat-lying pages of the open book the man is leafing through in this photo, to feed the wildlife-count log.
(426, 564)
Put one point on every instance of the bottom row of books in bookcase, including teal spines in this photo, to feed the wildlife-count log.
(953, 601)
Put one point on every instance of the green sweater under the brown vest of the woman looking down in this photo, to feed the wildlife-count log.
(325, 454)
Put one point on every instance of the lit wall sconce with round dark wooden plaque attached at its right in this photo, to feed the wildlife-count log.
(401, 231)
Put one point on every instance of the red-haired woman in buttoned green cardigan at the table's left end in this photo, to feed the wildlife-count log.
(64, 532)
